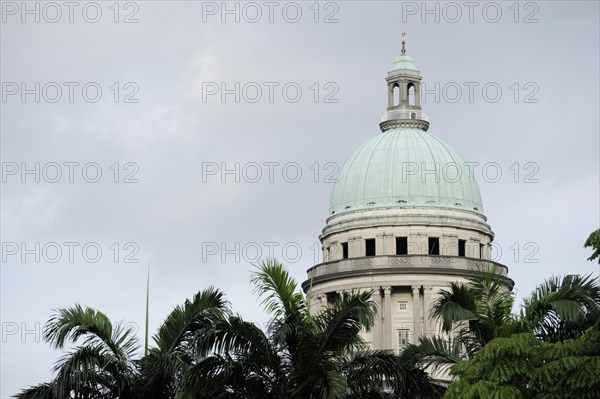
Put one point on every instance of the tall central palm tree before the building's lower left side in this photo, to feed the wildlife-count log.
(301, 355)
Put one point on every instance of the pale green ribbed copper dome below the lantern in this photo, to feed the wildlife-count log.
(405, 167)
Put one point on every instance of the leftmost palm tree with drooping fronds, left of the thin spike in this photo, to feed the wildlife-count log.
(100, 366)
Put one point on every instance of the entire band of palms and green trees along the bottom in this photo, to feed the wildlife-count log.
(203, 350)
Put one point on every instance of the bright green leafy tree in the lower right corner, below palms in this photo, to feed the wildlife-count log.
(523, 366)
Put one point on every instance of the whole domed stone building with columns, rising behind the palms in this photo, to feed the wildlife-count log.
(405, 219)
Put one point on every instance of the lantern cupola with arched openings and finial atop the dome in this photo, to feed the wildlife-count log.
(402, 110)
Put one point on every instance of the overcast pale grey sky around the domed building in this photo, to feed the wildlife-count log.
(192, 139)
